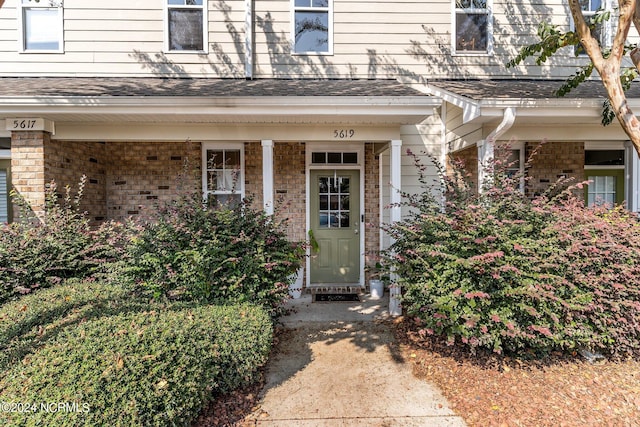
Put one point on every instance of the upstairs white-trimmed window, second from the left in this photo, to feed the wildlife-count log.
(186, 25)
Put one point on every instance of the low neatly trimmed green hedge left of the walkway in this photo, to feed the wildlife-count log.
(154, 367)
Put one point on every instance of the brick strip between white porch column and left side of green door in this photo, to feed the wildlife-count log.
(290, 188)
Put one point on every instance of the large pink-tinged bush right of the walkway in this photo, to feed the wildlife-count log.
(501, 271)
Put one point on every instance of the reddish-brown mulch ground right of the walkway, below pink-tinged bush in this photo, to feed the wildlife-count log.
(488, 390)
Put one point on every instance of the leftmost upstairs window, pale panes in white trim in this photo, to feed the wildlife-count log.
(41, 26)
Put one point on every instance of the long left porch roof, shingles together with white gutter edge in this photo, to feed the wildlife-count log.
(182, 100)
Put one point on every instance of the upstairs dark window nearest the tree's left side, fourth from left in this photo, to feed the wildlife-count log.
(473, 26)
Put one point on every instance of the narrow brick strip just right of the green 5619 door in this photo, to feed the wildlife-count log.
(371, 204)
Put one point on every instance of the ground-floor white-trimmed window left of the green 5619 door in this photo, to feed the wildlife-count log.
(223, 173)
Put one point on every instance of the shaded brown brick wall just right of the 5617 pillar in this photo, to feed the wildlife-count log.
(66, 162)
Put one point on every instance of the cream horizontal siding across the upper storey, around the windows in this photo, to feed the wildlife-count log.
(372, 39)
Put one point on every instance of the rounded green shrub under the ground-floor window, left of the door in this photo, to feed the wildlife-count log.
(223, 254)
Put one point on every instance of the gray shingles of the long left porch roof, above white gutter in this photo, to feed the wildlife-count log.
(91, 87)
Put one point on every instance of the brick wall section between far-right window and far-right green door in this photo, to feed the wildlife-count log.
(553, 161)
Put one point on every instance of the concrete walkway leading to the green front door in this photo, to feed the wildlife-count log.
(337, 364)
